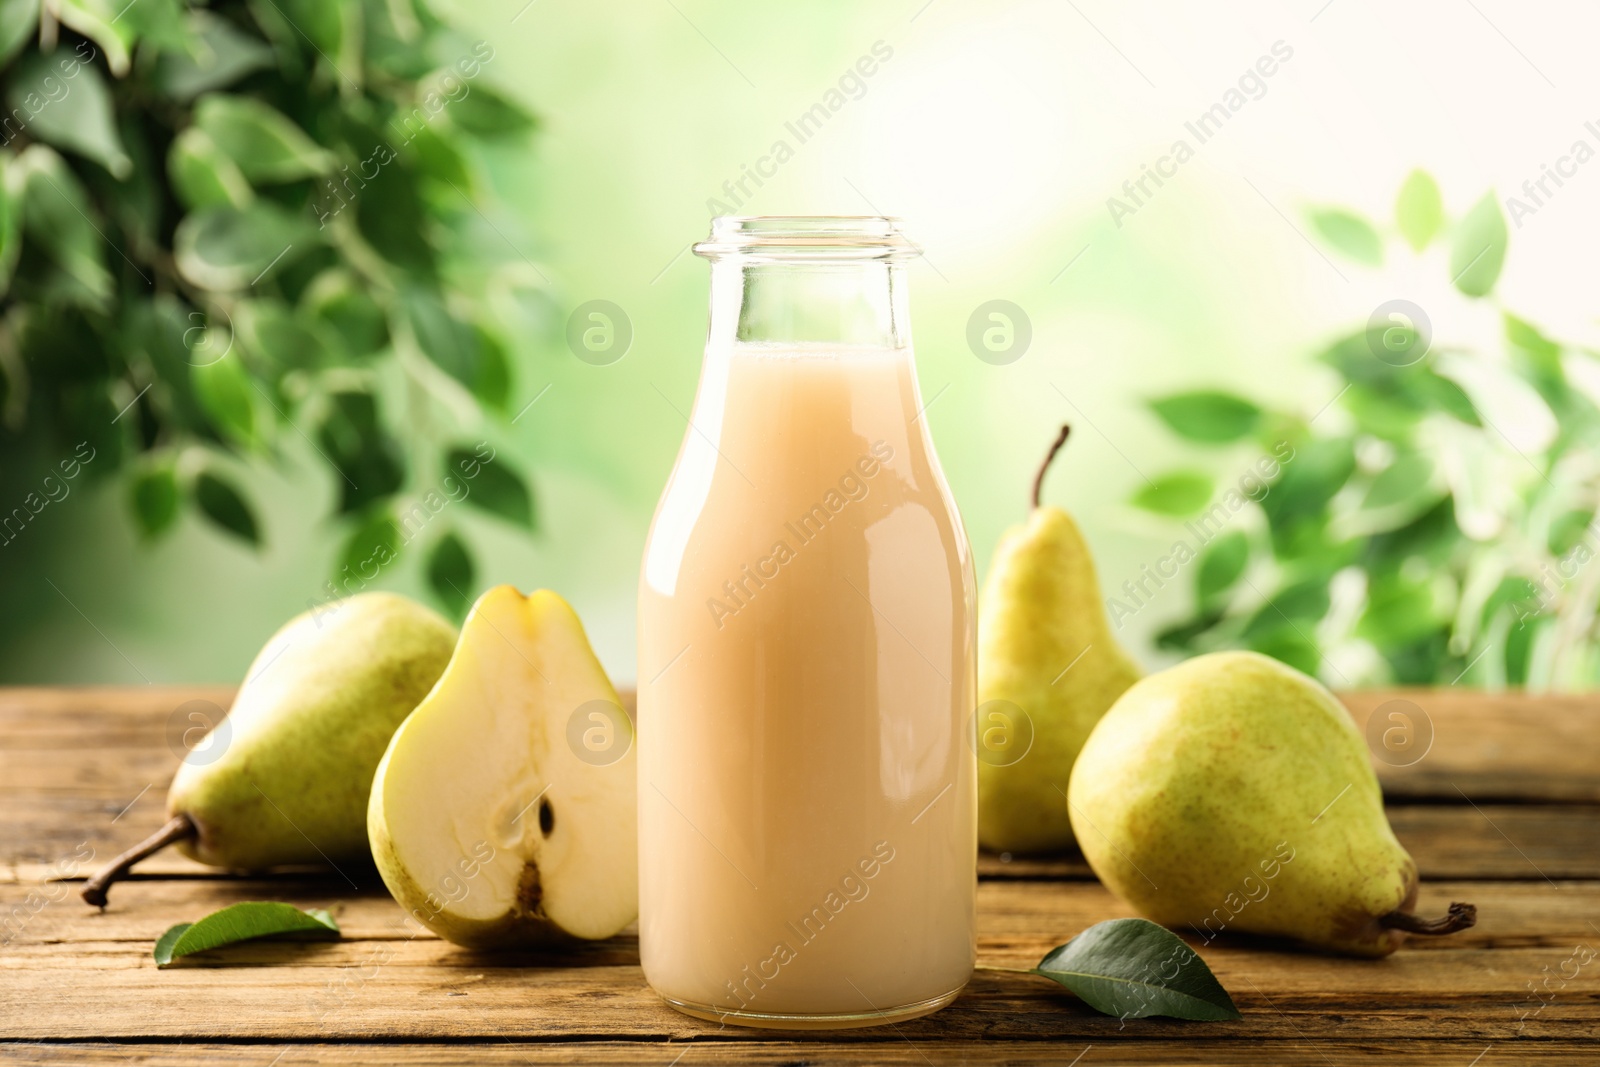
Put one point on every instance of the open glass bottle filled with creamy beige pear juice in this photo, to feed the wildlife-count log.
(807, 665)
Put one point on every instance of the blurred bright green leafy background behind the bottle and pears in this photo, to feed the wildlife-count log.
(1220, 319)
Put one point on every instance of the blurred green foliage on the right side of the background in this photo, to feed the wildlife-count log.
(1410, 538)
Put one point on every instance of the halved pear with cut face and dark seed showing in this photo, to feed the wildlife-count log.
(505, 810)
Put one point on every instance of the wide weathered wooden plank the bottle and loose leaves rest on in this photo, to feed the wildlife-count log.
(383, 981)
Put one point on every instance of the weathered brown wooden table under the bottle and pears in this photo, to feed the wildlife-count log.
(1503, 812)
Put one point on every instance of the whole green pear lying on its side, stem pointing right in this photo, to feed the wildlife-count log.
(1233, 794)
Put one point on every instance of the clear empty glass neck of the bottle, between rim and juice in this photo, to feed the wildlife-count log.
(817, 303)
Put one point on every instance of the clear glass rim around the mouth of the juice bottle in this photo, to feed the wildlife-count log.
(793, 238)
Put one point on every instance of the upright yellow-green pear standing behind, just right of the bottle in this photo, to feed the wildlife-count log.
(1047, 671)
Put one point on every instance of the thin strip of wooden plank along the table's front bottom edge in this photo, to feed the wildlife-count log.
(884, 1049)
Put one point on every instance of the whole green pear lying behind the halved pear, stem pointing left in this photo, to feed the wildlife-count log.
(286, 777)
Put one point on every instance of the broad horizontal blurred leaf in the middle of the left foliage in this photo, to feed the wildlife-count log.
(231, 249)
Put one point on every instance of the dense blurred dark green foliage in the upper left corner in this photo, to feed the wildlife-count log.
(228, 228)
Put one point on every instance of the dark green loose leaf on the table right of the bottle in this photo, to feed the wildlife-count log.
(1134, 969)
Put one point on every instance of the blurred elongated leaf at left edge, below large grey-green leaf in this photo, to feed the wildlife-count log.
(57, 222)
